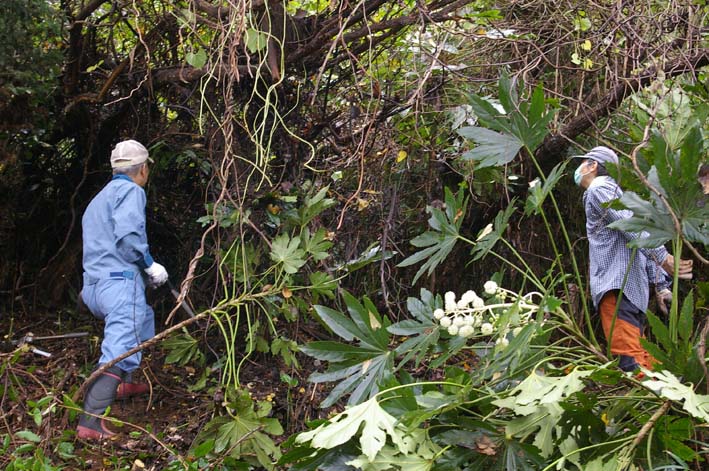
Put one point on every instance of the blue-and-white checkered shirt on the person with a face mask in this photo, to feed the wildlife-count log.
(608, 250)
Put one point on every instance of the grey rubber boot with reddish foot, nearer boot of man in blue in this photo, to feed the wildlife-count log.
(99, 396)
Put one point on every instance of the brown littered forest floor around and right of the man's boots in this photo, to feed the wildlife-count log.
(149, 427)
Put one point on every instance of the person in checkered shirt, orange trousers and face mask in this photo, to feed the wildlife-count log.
(614, 266)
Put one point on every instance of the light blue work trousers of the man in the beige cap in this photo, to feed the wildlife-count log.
(120, 303)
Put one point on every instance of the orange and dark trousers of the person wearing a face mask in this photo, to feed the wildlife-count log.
(624, 332)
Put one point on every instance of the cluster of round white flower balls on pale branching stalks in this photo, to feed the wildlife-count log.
(470, 315)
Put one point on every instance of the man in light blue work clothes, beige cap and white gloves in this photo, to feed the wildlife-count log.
(116, 256)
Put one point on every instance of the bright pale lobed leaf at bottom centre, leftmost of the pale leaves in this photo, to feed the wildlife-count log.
(377, 425)
